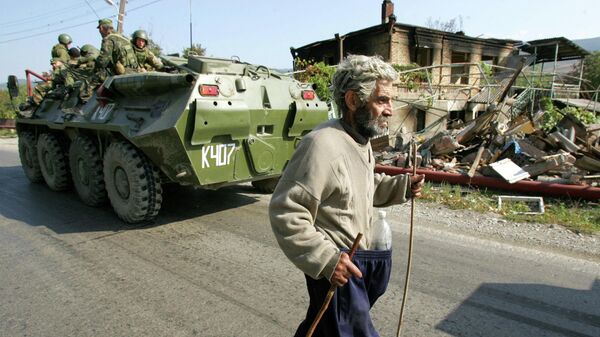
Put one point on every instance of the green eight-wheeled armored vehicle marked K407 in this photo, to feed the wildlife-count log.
(208, 123)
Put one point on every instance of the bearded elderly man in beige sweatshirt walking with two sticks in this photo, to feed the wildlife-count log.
(326, 197)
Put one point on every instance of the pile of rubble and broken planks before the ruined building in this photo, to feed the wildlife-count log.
(514, 149)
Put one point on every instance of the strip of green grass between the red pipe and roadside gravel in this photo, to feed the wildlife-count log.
(577, 216)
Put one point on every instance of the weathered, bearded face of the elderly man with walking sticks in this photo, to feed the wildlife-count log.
(372, 117)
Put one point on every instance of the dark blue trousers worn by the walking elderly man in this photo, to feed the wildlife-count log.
(348, 312)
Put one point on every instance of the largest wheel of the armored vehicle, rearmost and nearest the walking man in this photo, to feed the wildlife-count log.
(132, 183)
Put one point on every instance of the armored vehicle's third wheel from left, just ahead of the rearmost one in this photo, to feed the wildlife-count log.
(86, 169)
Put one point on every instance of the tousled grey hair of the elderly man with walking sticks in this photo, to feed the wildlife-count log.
(359, 73)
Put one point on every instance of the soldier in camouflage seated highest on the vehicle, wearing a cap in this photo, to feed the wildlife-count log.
(116, 54)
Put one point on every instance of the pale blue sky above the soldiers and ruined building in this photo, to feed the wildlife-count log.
(262, 32)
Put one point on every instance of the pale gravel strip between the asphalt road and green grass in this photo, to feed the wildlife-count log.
(490, 226)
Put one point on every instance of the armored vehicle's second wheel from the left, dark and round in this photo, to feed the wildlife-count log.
(53, 162)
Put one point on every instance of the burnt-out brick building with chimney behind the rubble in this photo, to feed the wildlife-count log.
(403, 44)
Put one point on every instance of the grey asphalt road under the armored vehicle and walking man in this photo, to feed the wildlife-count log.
(209, 266)
